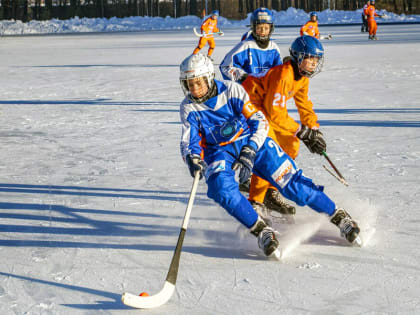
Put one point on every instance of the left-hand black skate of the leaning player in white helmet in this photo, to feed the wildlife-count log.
(267, 240)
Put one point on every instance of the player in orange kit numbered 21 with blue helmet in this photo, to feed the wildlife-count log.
(271, 91)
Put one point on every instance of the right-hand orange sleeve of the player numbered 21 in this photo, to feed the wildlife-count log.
(305, 106)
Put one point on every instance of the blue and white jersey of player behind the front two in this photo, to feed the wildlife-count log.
(248, 58)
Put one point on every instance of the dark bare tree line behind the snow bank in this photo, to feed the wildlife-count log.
(26, 10)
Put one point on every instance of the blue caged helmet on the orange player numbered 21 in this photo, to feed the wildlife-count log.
(307, 47)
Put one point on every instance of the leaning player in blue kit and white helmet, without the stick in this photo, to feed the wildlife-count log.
(222, 132)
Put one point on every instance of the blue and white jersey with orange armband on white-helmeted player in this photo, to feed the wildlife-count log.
(221, 120)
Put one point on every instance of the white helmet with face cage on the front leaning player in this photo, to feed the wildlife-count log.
(196, 66)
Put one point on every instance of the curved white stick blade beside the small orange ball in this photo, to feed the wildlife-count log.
(149, 301)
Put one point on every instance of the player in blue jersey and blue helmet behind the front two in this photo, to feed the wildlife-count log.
(256, 52)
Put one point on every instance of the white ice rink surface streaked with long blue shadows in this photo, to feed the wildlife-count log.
(93, 188)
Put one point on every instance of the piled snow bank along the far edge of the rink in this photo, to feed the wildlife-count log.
(78, 25)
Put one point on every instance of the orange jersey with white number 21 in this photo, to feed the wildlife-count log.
(270, 92)
